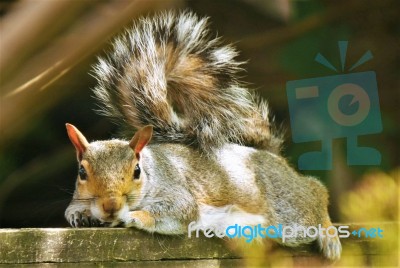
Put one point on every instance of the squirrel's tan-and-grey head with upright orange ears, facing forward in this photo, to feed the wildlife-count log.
(110, 175)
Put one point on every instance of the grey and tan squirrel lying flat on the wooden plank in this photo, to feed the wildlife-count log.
(213, 159)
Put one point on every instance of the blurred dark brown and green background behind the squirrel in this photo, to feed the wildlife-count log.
(48, 47)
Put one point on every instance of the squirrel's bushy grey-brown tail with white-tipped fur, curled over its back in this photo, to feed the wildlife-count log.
(168, 71)
